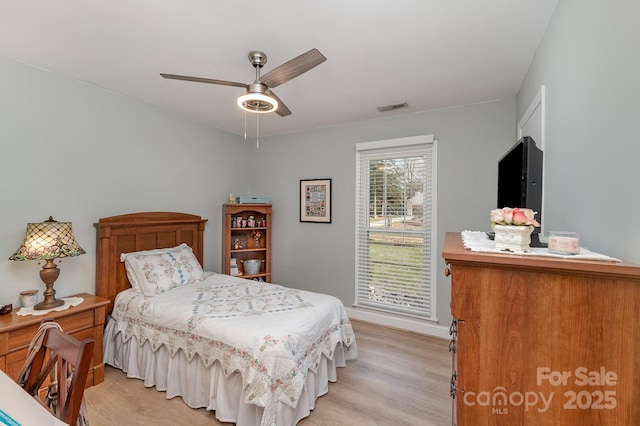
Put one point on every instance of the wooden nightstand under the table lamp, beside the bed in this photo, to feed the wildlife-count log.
(83, 321)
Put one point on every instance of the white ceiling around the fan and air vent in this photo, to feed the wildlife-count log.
(428, 53)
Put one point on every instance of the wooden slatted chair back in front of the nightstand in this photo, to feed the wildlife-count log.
(66, 354)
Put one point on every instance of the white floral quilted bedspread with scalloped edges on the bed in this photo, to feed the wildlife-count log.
(271, 335)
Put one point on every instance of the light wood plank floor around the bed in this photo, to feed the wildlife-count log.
(399, 378)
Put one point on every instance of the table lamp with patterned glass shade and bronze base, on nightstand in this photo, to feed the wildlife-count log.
(48, 240)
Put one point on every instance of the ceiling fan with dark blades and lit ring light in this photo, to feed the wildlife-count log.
(259, 97)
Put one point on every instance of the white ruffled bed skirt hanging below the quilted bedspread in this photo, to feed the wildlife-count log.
(207, 387)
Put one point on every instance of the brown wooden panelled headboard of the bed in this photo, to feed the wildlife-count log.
(140, 231)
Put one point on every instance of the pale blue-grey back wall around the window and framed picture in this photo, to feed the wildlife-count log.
(321, 257)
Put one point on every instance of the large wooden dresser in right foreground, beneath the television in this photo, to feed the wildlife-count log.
(543, 341)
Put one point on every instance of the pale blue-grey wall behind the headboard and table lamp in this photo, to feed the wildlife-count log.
(78, 153)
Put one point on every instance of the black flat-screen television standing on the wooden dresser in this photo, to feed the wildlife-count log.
(520, 179)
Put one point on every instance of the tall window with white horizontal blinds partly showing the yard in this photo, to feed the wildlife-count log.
(395, 231)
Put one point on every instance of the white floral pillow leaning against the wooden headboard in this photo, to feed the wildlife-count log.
(160, 270)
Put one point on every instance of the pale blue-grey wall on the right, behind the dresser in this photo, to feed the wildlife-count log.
(589, 62)
